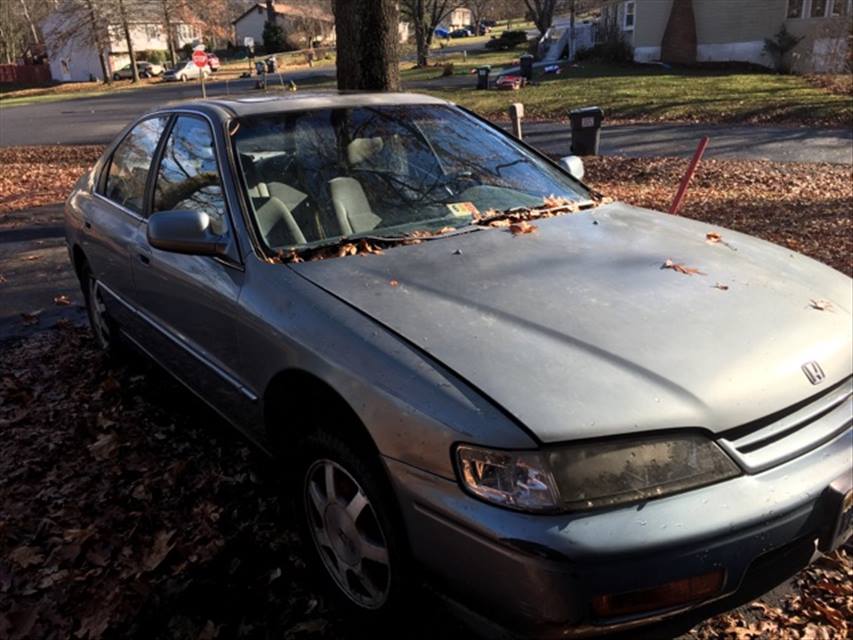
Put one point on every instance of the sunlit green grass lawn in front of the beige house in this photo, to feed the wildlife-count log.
(652, 93)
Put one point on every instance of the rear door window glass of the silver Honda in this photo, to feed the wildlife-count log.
(131, 162)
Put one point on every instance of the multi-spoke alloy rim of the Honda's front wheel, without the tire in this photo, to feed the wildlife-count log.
(347, 534)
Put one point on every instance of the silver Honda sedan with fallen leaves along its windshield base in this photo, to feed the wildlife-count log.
(574, 415)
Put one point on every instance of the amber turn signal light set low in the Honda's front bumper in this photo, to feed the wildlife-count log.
(665, 596)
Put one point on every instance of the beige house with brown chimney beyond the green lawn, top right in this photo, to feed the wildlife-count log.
(735, 30)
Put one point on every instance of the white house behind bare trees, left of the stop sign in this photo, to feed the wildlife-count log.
(73, 56)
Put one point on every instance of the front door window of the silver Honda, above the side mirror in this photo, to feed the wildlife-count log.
(188, 177)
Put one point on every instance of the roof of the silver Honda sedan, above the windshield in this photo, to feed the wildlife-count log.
(304, 101)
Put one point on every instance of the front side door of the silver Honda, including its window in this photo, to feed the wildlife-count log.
(187, 303)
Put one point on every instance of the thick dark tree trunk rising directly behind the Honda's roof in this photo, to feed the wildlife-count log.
(367, 44)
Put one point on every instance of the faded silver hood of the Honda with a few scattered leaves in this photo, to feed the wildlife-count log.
(577, 331)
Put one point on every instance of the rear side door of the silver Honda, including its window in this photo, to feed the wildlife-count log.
(113, 215)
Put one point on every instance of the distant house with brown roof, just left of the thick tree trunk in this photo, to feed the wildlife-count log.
(301, 25)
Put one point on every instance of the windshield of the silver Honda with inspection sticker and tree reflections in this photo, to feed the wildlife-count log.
(319, 176)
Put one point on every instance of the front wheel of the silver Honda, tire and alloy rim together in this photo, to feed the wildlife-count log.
(348, 513)
